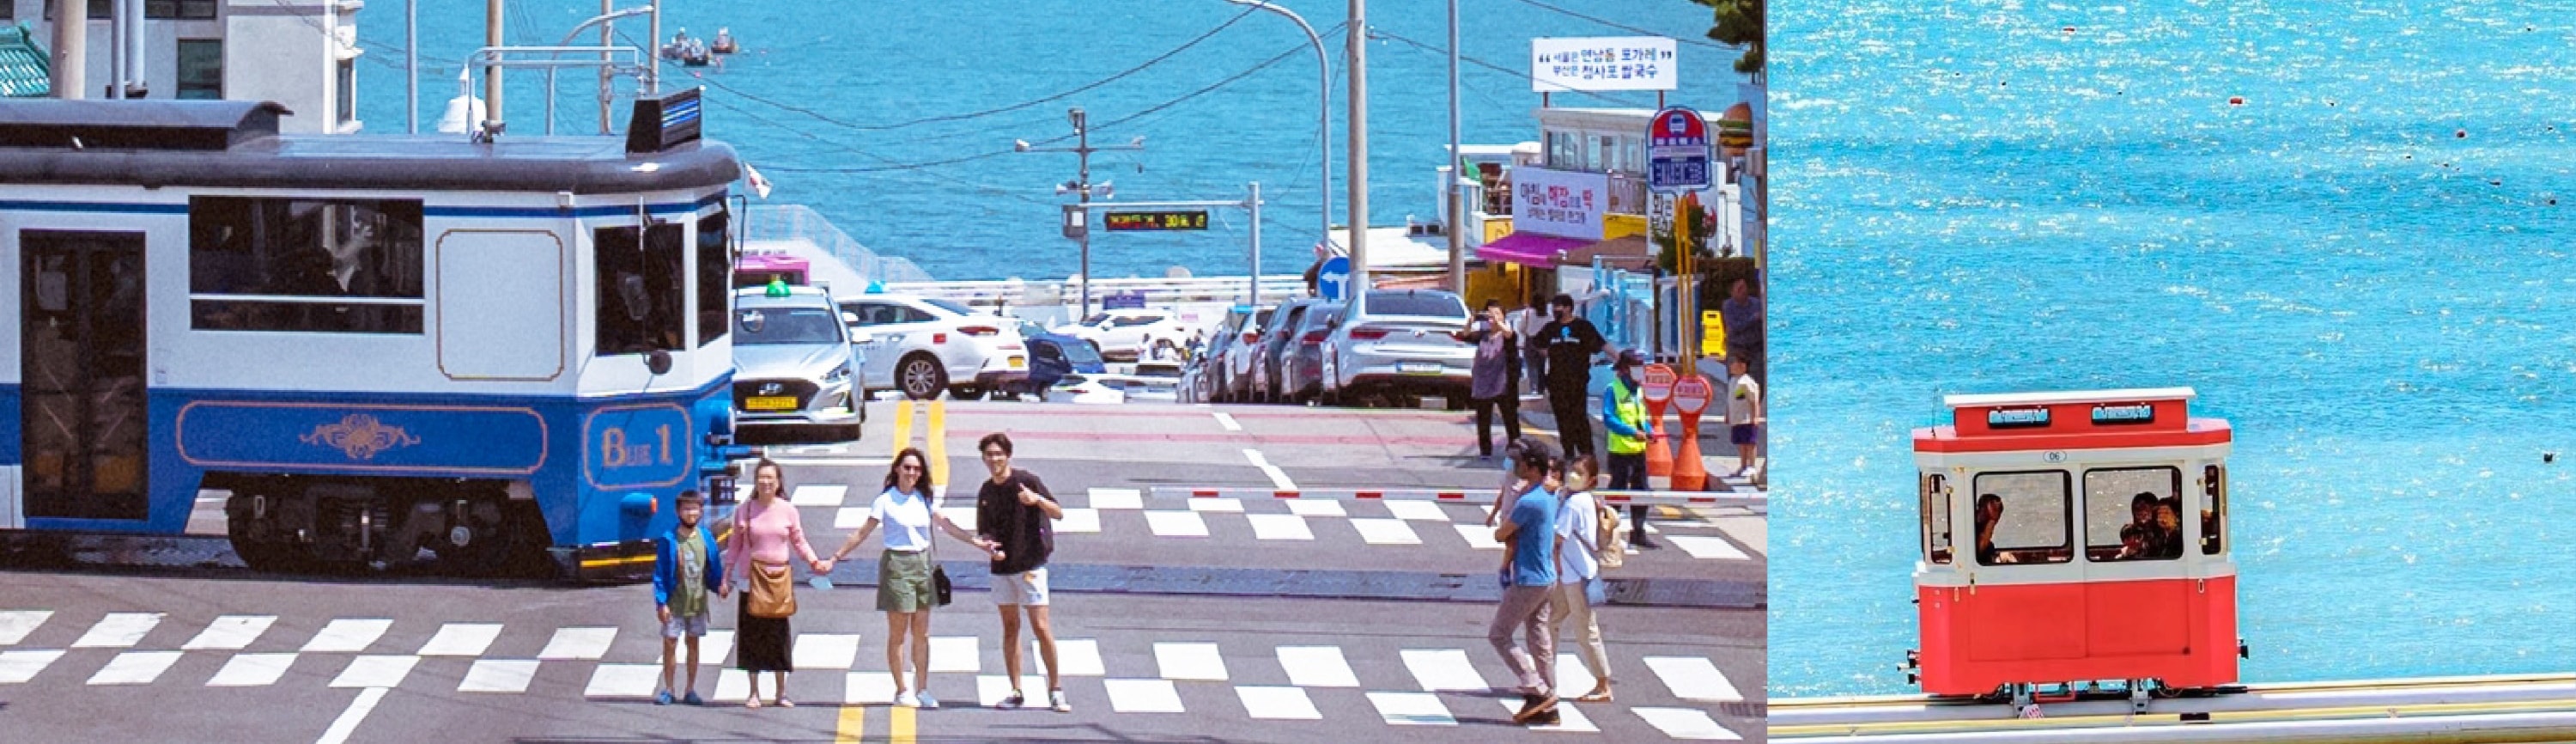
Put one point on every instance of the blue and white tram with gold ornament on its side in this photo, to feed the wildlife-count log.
(385, 349)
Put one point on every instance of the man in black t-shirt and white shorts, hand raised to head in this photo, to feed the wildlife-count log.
(1016, 514)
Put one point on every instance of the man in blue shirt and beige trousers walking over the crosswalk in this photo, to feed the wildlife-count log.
(1529, 575)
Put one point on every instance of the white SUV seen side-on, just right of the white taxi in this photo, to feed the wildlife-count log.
(926, 346)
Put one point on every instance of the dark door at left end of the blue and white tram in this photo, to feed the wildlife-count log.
(81, 357)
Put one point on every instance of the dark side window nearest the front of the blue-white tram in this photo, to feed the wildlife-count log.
(640, 302)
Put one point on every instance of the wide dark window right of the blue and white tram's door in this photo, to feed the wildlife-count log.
(305, 264)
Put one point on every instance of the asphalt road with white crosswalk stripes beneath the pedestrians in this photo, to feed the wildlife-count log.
(1240, 635)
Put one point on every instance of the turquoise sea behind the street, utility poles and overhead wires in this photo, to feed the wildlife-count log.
(875, 63)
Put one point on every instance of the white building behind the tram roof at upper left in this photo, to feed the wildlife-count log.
(295, 53)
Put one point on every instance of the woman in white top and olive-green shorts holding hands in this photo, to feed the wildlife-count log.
(903, 573)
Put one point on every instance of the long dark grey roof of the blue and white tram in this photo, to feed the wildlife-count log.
(238, 145)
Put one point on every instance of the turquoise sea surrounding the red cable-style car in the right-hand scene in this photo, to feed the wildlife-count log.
(2011, 197)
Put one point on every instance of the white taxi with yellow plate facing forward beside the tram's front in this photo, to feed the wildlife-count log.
(795, 369)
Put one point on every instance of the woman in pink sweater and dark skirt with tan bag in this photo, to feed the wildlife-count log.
(766, 532)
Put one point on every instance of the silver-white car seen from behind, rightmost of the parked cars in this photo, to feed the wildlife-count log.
(1397, 344)
